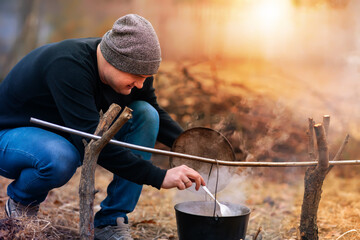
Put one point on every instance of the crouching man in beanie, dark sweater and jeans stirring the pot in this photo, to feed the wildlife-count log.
(68, 83)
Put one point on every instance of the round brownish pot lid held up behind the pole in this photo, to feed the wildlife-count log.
(205, 142)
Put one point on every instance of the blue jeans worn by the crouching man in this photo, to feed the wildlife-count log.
(39, 160)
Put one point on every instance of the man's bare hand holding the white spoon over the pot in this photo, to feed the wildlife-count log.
(182, 177)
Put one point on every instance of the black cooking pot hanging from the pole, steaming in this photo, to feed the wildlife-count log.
(196, 221)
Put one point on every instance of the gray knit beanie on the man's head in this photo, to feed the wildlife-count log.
(132, 46)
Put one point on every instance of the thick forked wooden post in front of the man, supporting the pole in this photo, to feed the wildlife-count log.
(92, 151)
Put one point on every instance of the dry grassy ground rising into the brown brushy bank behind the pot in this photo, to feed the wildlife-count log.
(263, 110)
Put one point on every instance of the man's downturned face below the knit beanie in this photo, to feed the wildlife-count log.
(121, 82)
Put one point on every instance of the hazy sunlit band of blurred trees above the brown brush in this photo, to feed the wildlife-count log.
(323, 31)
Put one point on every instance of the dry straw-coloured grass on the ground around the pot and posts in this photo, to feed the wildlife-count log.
(275, 209)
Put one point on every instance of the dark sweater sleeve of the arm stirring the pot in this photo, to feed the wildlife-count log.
(73, 90)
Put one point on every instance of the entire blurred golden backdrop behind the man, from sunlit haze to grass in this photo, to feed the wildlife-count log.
(255, 70)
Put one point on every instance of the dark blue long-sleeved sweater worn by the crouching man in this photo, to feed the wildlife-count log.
(59, 83)
